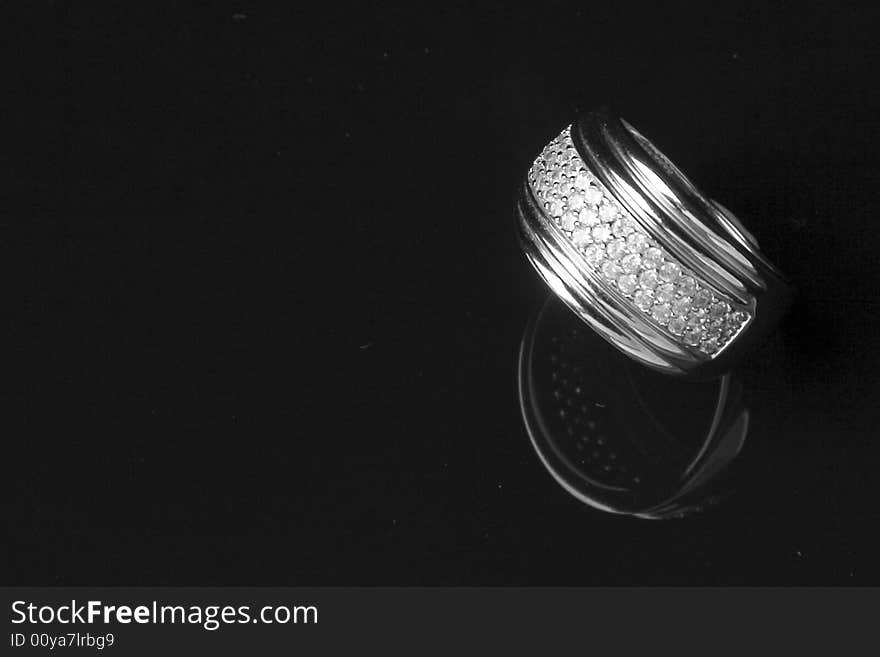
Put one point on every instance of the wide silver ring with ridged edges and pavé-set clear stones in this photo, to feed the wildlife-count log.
(667, 275)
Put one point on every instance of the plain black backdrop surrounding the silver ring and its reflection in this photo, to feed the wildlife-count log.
(263, 296)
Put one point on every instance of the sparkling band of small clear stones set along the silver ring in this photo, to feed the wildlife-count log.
(626, 256)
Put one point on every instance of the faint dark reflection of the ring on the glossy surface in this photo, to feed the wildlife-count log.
(617, 436)
